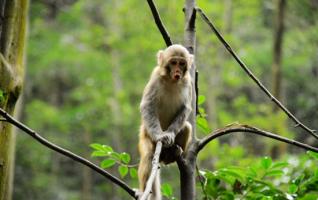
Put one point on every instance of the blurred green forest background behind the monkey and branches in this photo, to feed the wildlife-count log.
(88, 62)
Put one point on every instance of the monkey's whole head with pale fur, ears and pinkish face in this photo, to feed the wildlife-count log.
(174, 61)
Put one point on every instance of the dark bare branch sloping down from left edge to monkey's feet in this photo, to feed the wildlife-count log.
(67, 153)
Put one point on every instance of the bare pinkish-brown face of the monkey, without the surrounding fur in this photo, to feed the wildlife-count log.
(176, 68)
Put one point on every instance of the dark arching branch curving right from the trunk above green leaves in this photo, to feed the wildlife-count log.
(249, 129)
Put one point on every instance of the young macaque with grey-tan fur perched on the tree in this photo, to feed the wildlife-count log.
(165, 107)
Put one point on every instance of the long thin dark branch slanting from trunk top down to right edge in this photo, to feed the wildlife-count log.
(253, 77)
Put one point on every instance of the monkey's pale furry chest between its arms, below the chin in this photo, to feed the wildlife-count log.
(170, 103)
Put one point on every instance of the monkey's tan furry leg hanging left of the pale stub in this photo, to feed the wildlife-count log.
(146, 154)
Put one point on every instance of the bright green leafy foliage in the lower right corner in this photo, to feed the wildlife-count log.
(264, 180)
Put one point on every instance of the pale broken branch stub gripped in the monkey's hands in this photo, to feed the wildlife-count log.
(155, 167)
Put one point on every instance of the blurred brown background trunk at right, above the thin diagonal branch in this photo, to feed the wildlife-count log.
(277, 50)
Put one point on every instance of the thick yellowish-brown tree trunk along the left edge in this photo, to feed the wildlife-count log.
(12, 43)
